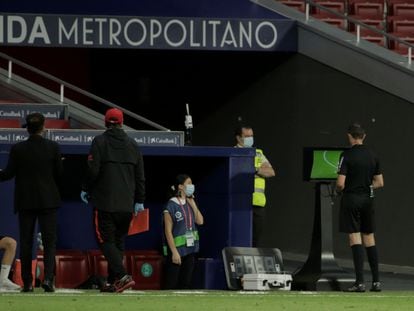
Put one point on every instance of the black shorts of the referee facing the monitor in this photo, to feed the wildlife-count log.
(357, 214)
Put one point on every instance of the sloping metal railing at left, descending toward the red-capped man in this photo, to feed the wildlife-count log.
(63, 85)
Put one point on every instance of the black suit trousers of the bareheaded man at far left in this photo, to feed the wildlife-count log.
(27, 224)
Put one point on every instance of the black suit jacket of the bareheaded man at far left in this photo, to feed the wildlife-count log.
(37, 165)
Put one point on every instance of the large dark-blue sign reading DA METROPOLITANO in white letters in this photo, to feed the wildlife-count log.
(139, 32)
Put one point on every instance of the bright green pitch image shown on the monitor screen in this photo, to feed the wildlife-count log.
(325, 164)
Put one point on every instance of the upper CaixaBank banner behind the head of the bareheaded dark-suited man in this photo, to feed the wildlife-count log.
(20, 111)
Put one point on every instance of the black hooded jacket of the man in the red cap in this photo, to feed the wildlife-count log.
(115, 179)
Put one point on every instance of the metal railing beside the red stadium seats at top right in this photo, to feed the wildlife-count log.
(359, 24)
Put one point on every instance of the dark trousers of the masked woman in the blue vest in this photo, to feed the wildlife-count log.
(179, 276)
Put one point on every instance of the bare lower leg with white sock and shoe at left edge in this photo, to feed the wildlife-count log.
(9, 246)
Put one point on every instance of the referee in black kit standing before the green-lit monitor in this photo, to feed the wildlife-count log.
(359, 174)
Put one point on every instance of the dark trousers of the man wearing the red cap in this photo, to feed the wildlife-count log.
(111, 230)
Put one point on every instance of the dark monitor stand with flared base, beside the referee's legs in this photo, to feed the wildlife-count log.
(321, 272)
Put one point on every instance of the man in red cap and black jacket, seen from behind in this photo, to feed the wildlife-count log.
(116, 188)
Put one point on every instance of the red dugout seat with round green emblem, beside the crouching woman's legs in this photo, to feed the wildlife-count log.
(145, 268)
